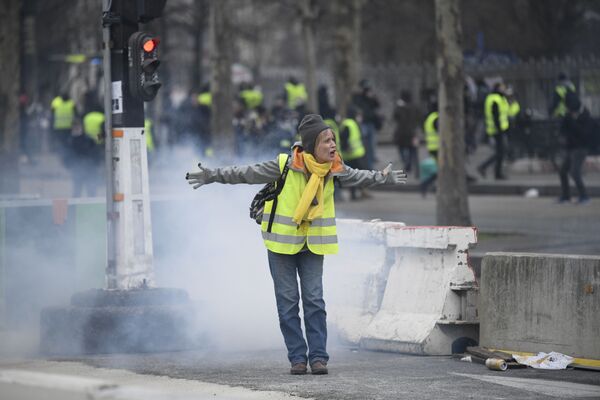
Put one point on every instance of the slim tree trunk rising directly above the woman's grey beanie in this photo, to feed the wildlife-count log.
(309, 16)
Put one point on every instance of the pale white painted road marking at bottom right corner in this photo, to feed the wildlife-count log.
(543, 386)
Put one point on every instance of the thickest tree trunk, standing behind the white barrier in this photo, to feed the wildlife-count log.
(452, 197)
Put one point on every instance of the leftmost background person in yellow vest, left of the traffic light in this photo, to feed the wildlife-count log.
(62, 118)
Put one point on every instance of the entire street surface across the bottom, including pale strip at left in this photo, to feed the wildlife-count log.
(354, 374)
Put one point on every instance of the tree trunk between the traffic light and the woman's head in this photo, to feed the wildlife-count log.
(221, 85)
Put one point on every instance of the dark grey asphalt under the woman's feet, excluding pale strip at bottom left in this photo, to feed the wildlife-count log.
(361, 375)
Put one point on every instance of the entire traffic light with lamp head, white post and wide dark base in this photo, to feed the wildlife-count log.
(131, 314)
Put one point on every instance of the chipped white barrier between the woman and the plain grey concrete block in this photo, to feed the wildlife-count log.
(420, 298)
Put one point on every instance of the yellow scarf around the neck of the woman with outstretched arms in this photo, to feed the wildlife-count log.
(305, 211)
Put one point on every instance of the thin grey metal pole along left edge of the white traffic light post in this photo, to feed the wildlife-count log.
(110, 210)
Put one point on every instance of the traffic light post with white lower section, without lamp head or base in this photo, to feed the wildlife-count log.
(129, 234)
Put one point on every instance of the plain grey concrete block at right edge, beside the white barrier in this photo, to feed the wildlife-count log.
(541, 302)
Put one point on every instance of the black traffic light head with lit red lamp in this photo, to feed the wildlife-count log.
(143, 65)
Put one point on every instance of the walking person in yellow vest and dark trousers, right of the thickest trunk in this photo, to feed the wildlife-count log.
(496, 110)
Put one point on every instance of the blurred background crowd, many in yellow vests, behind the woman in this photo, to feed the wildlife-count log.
(493, 115)
